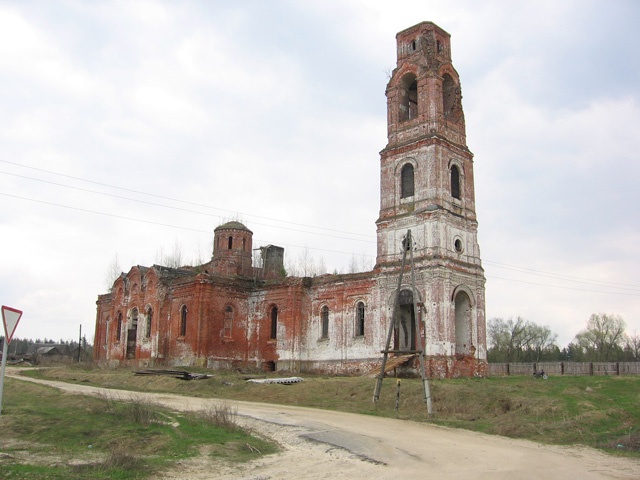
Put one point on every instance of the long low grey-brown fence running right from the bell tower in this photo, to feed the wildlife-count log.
(565, 368)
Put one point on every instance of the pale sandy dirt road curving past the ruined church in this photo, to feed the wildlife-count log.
(320, 444)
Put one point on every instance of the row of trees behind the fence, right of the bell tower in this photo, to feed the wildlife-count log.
(604, 339)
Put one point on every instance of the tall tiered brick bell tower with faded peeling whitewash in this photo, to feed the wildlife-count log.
(427, 186)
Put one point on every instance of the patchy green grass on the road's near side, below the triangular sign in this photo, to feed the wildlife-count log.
(47, 434)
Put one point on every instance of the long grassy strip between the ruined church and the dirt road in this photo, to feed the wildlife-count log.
(600, 411)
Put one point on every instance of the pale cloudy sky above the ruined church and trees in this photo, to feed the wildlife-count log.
(130, 130)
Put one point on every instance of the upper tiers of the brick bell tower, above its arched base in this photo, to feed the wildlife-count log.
(426, 167)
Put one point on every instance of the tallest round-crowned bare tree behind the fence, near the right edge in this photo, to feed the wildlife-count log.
(603, 336)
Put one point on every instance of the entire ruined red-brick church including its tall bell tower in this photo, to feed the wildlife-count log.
(230, 313)
